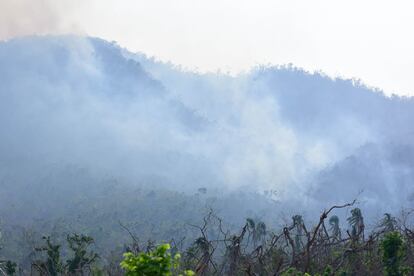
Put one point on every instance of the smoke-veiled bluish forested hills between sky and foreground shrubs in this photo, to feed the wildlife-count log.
(92, 134)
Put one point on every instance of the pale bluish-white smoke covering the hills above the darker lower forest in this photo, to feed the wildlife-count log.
(85, 102)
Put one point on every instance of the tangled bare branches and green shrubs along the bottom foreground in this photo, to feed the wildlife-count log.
(325, 248)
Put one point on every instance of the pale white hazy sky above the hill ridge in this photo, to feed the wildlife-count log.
(370, 40)
